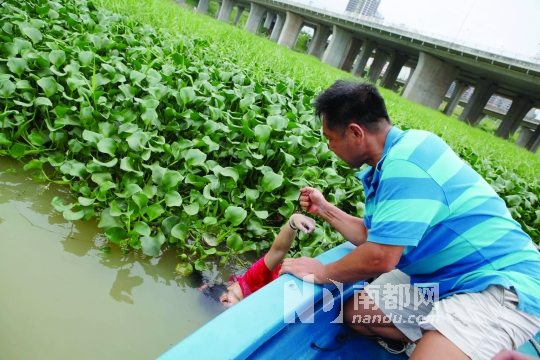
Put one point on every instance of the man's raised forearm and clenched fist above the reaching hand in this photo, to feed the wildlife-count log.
(351, 227)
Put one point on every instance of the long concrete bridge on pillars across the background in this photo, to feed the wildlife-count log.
(435, 64)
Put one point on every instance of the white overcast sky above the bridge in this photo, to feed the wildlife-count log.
(511, 26)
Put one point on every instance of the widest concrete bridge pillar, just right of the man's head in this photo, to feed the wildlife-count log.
(430, 81)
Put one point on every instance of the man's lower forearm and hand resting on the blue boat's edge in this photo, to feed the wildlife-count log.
(366, 261)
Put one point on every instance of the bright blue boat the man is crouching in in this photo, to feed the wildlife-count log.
(288, 319)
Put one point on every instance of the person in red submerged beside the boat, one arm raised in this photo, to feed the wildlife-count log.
(265, 270)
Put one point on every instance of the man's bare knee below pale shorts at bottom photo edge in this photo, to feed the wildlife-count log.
(434, 345)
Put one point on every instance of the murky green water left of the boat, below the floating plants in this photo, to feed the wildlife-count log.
(61, 297)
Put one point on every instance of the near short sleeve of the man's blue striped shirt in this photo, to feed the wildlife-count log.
(406, 204)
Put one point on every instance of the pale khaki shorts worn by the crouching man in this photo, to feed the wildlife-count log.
(480, 324)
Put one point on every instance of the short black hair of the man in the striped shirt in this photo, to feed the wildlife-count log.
(345, 102)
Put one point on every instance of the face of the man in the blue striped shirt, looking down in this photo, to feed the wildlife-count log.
(346, 146)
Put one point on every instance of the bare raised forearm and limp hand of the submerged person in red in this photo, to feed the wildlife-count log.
(285, 238)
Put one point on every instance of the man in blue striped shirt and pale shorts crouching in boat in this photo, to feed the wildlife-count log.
(430, 221)
